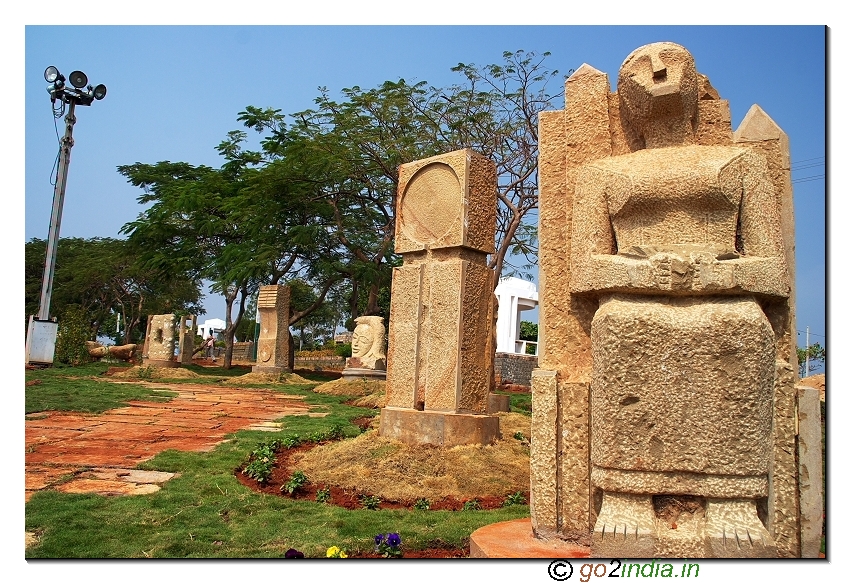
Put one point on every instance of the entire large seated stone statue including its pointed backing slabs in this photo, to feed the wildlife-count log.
(667, 363)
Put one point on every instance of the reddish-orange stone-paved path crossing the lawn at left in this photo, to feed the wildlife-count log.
(85, 453)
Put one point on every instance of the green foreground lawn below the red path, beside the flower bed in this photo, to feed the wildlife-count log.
(207, 513)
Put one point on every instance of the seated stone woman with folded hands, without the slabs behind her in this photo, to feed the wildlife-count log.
(681, 244)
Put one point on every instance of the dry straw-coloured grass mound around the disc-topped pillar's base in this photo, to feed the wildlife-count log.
(395, 471)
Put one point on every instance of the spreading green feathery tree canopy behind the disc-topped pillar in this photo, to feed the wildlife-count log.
(315, 202)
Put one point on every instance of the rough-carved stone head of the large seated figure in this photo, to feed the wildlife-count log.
(658, 87)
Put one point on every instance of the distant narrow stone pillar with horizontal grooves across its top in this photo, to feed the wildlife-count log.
(273, 345)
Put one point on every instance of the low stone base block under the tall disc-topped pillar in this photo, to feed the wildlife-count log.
(438, 427)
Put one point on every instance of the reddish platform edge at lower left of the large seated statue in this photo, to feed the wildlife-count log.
(514, 539)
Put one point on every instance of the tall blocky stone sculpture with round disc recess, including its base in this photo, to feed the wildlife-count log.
(441, 345)
